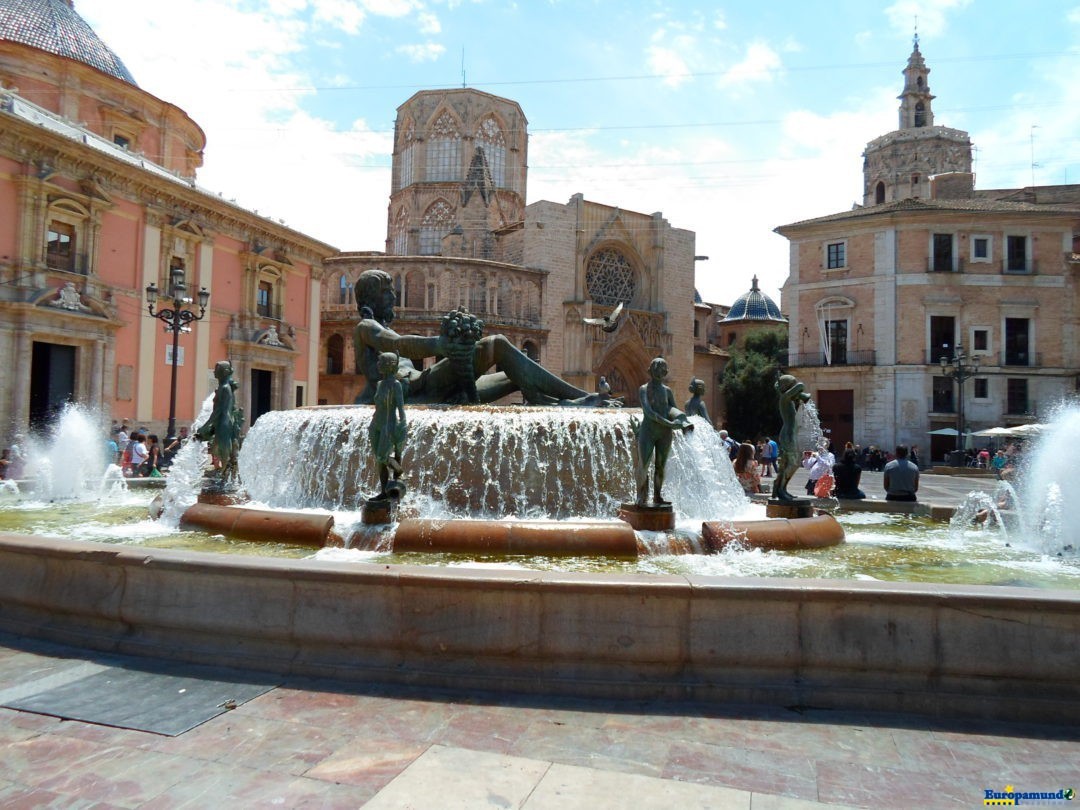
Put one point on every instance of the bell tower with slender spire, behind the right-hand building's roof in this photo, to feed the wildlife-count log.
(899, 166)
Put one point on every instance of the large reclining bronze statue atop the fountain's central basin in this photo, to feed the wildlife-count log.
(441, 383)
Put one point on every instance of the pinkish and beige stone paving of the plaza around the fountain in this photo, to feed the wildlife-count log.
(325, 745)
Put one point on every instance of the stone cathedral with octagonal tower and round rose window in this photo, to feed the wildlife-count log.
(460, 234)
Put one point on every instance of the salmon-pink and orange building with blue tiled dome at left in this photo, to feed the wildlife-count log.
(98, 201)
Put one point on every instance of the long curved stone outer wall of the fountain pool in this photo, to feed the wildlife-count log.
(957, 651)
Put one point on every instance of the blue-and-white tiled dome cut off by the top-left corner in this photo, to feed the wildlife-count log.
(55, 26)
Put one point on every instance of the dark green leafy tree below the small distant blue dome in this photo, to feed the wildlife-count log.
(748, 383)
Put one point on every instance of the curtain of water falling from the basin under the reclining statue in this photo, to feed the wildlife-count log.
(482, 463)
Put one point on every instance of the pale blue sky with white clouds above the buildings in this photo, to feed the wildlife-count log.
(730, 118)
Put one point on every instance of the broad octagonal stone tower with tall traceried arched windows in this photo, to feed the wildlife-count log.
(460, 169)
